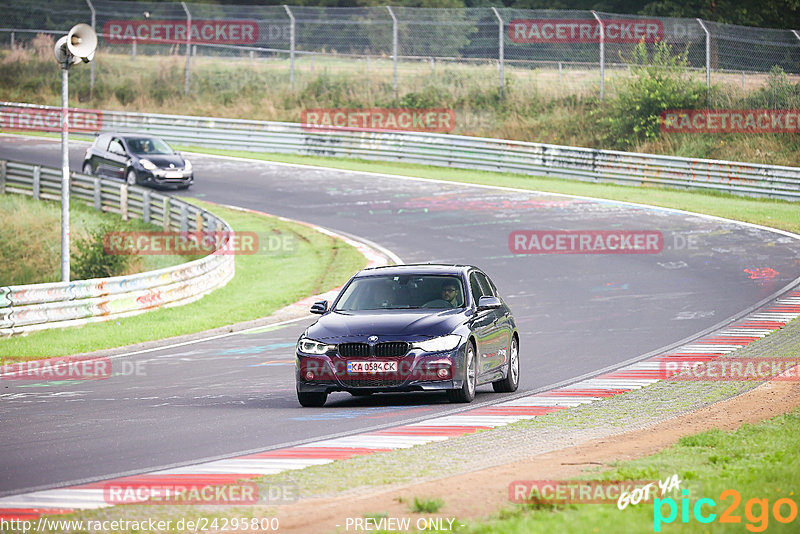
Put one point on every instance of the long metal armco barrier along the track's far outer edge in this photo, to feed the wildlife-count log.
(445, 150)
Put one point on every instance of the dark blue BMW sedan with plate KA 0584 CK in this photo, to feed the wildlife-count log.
(410, 328)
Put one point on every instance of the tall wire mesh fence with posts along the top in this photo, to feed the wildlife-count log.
(584, 47)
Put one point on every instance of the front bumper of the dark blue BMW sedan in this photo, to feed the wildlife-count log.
(417, 371)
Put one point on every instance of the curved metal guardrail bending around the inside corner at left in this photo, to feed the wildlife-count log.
(34, 307)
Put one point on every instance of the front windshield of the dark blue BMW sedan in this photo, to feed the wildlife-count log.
(402, 292)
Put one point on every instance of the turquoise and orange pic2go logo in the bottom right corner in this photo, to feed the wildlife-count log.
(756, 511)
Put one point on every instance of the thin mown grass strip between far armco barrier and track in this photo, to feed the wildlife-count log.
(774, 213)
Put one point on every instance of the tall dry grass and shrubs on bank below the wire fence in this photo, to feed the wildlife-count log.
(540, 104)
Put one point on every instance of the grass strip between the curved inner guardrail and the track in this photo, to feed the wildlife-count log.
(310, 262)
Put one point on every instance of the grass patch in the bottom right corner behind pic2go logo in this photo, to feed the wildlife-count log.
(760, 462)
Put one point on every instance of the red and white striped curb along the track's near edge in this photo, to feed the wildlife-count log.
(220, 472)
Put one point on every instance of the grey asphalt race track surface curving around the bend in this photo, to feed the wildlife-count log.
(577, 314)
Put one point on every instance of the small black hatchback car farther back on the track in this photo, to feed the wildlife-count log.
(137, 159)
